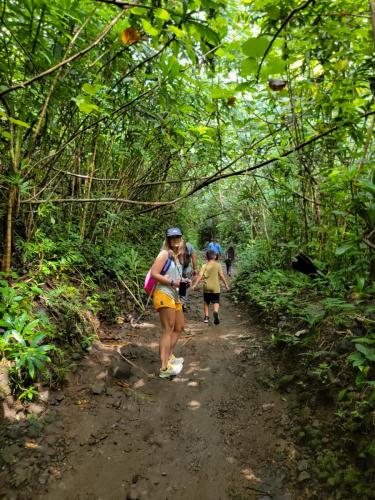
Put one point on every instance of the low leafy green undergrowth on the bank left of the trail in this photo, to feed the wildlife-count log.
(47, 317)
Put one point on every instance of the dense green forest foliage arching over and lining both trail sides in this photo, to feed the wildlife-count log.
(118, 120)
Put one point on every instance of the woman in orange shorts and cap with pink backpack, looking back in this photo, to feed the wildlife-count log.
(167, 300)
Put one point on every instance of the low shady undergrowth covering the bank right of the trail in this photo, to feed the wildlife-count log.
(323, 337)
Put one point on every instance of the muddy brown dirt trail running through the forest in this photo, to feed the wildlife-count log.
(215, 432)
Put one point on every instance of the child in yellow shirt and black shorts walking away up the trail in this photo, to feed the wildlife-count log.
(211, 273)
